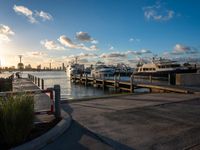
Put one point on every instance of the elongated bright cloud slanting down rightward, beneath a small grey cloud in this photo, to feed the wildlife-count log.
(68, 43)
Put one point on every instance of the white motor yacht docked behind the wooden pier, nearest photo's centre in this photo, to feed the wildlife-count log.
(101, 70)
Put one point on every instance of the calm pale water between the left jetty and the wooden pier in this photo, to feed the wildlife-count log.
(68, 90)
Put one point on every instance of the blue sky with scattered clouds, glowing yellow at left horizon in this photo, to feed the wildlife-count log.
(113, 31)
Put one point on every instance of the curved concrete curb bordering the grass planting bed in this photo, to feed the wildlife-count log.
(49, 136)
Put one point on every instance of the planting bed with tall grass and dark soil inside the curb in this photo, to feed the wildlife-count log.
(17, 119)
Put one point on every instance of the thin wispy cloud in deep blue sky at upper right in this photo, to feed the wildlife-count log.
(158, 12)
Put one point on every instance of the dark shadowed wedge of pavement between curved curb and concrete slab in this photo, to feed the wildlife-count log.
(78, 138)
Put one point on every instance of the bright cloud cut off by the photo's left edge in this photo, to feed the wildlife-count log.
(5, 32)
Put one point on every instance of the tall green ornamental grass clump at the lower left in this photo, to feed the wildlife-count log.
(16, 118)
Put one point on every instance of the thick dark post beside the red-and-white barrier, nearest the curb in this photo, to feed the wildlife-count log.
(57, 101)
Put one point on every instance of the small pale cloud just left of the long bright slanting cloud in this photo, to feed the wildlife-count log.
(51, 45)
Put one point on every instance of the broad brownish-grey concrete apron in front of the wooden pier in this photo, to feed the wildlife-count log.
(164, 121)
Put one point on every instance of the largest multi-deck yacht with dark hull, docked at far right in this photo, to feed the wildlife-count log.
(162, 68)
